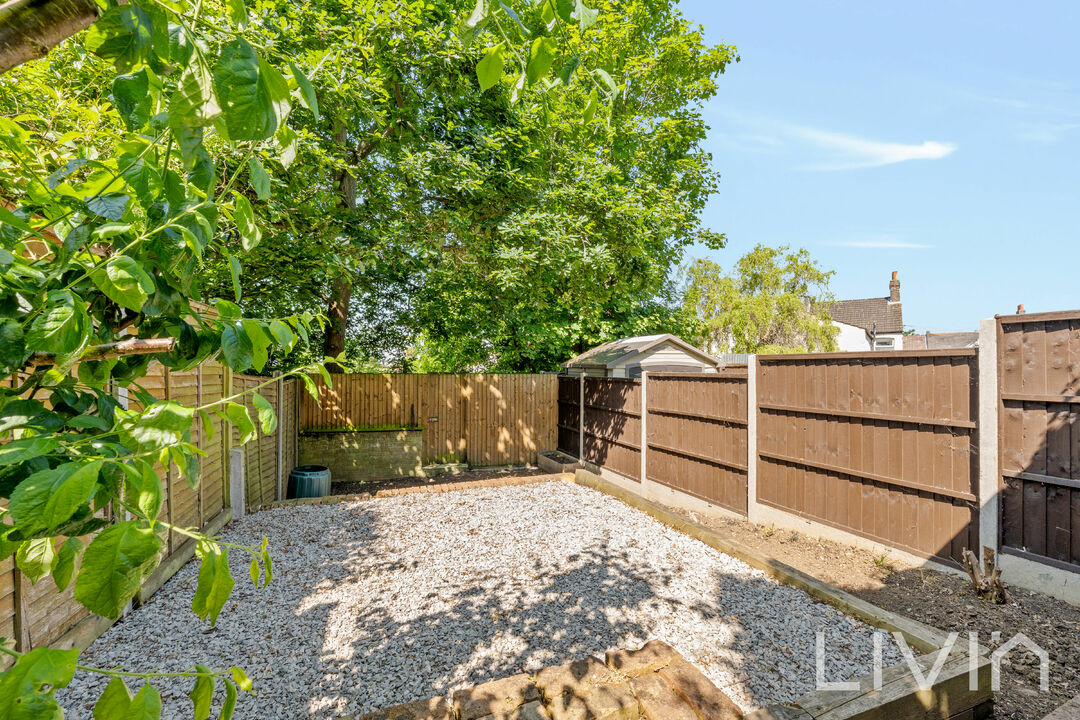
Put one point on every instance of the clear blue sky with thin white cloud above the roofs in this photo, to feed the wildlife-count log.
(940, 140)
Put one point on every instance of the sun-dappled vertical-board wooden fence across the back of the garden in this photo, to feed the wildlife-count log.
(482, 419)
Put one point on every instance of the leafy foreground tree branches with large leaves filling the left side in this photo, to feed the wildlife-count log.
(129, 157)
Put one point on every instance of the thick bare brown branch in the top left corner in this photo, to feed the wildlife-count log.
(31, 29)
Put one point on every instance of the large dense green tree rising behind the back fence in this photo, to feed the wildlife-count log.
(496, 227)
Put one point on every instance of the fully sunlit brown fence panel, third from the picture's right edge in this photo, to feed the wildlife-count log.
(697, 436)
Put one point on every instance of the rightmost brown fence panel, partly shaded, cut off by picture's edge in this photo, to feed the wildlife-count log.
(1039, 418)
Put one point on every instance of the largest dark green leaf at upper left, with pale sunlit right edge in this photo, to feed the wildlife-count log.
(255, 96)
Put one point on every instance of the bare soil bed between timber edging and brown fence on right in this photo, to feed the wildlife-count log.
(943, 601)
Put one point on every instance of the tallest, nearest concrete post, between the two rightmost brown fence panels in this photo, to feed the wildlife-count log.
(990, 473)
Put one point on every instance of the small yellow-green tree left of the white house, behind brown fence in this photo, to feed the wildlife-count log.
(773, 302)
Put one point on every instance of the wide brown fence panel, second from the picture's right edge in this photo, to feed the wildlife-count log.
(882, 445)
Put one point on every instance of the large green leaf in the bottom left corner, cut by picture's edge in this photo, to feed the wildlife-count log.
(28, 689)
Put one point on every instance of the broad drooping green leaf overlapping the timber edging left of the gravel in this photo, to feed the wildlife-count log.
(114, 566)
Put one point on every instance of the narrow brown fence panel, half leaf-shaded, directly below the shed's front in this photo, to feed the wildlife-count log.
(613, 425)
